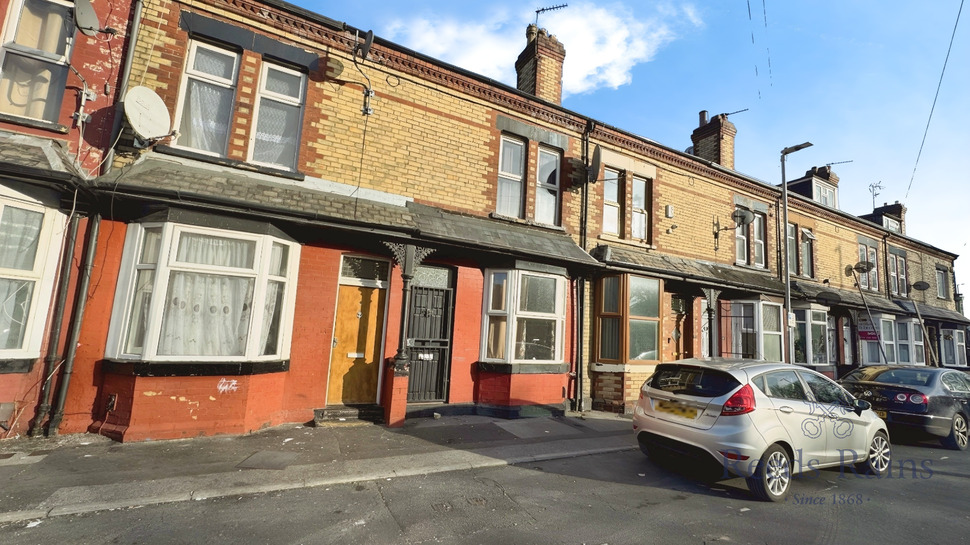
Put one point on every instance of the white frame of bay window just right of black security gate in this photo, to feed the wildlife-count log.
(499, 306)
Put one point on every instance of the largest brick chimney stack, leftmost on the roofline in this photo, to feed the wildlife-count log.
(539, 67)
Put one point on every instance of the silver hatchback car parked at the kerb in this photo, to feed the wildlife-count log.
(761, 421)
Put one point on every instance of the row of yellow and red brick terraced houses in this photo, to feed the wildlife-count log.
(222, 215)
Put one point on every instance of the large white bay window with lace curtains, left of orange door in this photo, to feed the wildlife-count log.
(194, 294)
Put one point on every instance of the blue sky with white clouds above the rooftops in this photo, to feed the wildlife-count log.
(857, 78)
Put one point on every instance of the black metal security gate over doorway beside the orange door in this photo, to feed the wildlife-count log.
(429, 343)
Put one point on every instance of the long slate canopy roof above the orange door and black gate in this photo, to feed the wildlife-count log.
(309, 200)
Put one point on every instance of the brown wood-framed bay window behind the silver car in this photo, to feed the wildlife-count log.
(628, 318)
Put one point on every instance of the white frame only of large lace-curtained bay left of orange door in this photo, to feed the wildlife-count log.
(166, 263)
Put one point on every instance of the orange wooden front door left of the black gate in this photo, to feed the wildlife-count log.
(358, 335)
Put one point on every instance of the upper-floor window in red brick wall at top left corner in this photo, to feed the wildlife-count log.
(36, 52)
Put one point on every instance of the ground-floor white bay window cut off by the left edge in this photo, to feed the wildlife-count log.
(28, 267)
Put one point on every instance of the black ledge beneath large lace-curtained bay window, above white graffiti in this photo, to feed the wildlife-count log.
(194, 368)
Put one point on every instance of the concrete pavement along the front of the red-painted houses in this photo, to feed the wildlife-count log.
(86, 472)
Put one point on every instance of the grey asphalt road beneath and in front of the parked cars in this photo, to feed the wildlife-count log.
(607, 499)
